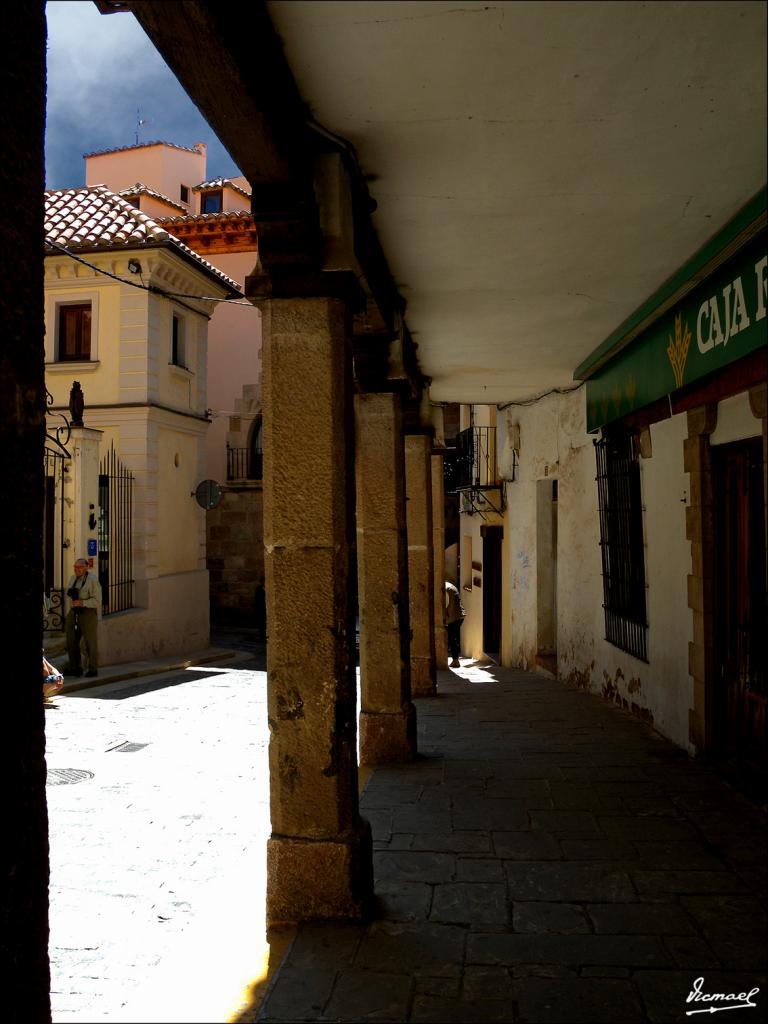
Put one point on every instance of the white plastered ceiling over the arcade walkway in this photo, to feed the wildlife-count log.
(540, 168)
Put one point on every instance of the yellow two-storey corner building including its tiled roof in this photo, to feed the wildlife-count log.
(126, 313)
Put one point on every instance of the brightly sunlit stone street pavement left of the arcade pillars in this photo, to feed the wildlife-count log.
(158, 803)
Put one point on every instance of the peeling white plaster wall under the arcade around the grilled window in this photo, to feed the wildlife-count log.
(554, 445)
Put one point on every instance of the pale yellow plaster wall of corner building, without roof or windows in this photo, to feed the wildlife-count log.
(164, 448)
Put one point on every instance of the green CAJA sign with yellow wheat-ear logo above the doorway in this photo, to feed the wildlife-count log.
(717, 323)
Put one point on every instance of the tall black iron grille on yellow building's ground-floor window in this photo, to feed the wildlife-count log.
(115, 534)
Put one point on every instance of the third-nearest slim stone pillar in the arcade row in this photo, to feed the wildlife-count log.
(420, 564)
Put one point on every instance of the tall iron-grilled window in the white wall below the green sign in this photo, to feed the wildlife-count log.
(622, 542)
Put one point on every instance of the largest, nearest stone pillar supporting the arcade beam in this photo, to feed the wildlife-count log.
(320, 852)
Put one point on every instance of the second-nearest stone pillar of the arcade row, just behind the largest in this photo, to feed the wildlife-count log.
(388, 717)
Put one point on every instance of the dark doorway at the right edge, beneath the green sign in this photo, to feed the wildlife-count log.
(740, 605)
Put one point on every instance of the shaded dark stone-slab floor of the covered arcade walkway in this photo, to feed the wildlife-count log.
(547, 859)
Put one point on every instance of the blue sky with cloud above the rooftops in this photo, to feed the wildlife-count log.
(102, 71)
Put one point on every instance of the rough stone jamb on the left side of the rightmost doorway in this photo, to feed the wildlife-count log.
(701, 532)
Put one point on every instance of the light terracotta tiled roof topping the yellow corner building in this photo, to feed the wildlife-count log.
(96, 220)
